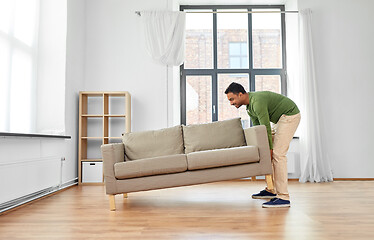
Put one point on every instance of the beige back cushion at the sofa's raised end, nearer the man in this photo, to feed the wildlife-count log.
(215, 135)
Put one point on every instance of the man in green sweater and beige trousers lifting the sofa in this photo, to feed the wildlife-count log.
(263, 108)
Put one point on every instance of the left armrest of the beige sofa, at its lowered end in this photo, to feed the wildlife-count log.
(112, 153)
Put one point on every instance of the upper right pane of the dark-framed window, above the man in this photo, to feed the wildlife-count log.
(267, 39)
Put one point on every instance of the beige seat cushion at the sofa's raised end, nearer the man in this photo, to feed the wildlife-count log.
(222, 157)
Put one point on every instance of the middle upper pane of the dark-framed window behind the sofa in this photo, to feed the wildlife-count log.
(232, 34)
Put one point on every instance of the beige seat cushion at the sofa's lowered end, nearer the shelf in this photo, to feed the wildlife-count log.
(151, 166)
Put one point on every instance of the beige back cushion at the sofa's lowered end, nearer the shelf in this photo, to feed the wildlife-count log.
(156, 143)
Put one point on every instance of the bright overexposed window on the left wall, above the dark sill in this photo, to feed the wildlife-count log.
(18, 47)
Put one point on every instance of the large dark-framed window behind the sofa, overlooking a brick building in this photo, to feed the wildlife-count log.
(224, 47)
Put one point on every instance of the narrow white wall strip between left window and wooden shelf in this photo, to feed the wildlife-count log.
(75, 45)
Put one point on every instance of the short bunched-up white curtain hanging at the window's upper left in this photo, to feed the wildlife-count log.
(165, 33)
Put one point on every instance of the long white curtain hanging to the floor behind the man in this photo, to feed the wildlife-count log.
(315, 165)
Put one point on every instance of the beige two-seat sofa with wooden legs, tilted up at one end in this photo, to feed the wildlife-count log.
(185, 155)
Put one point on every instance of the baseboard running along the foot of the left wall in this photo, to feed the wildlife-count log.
(16, 203)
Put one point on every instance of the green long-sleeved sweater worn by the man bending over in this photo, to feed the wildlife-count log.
(265, 107)
